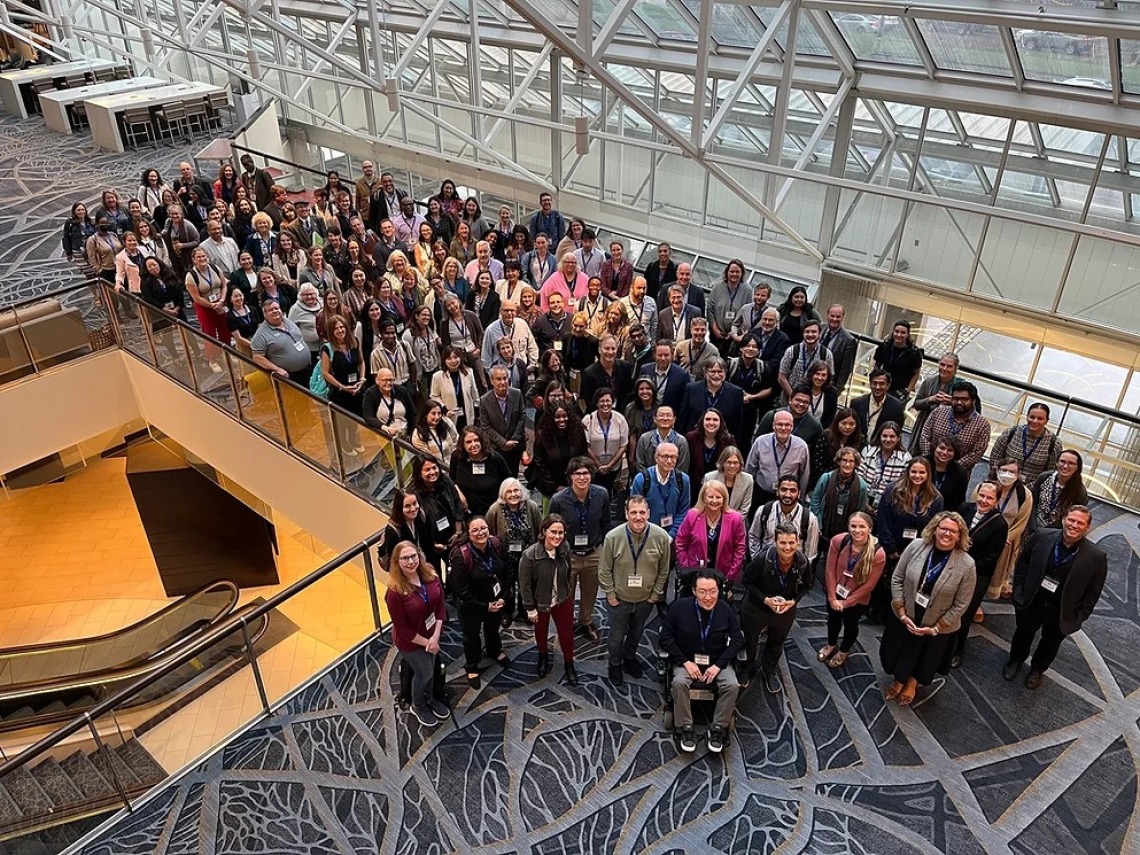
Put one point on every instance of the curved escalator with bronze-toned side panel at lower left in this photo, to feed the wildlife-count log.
(45, 685)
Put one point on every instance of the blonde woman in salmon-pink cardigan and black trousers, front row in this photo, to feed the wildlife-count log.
(856, 564)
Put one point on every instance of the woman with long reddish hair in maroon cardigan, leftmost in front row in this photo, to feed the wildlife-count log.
(418, 609)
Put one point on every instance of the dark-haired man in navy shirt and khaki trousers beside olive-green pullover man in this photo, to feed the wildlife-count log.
(585, 509)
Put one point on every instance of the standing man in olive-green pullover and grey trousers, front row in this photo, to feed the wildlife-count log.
(632, 574)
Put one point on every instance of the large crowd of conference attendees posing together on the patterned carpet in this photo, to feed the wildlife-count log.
(677, 435)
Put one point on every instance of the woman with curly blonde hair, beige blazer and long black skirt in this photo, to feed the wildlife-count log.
(931, 590)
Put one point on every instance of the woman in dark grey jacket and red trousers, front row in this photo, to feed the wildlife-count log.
(548, 593)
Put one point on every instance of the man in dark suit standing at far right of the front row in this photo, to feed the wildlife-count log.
(1057, 583)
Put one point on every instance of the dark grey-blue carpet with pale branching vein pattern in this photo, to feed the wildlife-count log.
(979, 766)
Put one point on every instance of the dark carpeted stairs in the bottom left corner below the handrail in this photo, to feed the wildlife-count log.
(82, 785)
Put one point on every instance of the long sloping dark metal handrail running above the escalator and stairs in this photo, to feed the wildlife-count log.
(239, 623)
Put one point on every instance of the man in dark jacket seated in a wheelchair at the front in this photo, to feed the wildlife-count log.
(702, 637)
